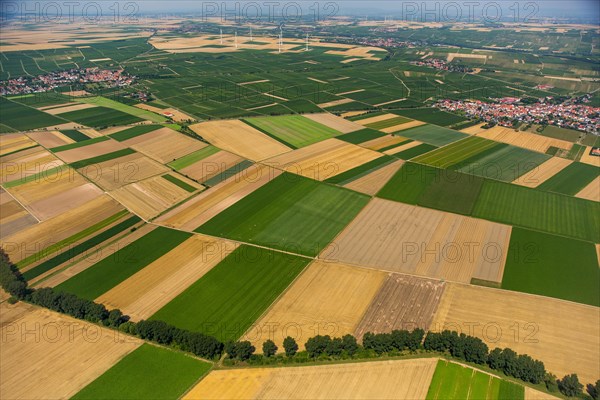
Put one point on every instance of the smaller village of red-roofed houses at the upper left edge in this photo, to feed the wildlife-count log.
(44, 83)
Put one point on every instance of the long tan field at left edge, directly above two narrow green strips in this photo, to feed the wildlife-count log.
(55, 229)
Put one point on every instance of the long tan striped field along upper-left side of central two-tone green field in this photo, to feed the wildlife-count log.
(202, 208)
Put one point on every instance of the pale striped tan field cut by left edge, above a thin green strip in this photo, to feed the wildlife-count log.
(27, 163)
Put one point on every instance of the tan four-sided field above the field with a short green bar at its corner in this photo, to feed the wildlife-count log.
(118, 172)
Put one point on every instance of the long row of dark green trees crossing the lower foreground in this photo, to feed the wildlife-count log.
(460, 346)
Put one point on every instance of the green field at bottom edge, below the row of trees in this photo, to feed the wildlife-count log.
(149, 372)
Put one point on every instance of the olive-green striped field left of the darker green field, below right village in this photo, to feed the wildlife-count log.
(456, 152)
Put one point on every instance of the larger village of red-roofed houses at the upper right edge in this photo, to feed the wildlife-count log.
(572, 114)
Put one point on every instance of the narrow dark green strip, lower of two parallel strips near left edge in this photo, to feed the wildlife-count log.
(80, 248)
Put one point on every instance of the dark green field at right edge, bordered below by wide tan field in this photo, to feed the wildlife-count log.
(553, 266)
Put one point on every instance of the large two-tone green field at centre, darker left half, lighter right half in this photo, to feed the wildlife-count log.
(289, 213)
